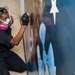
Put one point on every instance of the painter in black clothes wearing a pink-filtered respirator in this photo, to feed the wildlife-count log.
(9, 61)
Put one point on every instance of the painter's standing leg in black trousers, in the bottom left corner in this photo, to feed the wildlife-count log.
(3, 68)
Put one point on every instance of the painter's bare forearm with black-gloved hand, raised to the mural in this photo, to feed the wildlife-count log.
(18, 37)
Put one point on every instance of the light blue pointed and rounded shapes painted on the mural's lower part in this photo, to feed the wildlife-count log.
(48, 59)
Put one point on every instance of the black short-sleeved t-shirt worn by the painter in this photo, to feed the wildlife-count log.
(5, 37)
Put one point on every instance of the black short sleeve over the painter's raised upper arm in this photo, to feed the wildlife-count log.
(5, 39)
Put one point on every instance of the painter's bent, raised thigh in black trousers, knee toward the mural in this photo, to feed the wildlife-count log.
(15, 63)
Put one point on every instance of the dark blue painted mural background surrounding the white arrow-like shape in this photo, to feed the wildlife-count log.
(62, 35)
